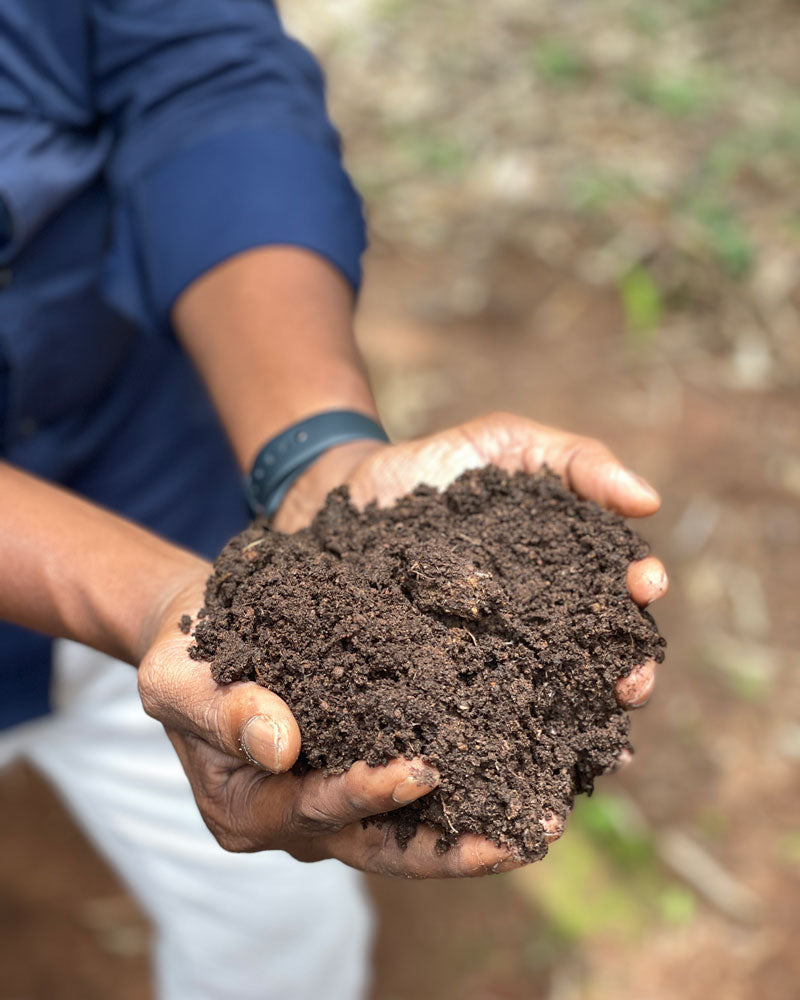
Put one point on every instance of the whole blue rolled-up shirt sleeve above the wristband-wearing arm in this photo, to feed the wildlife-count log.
(221, 143)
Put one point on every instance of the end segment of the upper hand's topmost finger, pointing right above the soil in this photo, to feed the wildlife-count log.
(593, 472)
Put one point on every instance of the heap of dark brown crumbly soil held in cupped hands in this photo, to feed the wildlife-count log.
(482, 628)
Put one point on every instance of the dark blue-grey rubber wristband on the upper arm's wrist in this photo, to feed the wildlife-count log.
(290, 453)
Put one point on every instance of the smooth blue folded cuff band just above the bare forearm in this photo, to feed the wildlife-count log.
(231, 193)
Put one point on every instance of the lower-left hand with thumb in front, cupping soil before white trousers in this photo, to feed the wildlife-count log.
(237, 743)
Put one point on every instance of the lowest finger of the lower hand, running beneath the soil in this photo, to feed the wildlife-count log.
(375, 849)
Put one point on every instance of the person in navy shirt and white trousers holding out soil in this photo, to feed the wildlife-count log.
(180, 250)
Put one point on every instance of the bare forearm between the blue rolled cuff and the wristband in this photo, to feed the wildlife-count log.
(271, 332)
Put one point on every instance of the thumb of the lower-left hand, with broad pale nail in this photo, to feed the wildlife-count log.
(242, 719)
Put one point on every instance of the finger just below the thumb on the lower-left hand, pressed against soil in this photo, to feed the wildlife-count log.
(329, 802)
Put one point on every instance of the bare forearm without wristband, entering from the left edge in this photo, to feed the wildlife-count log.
(73, 570)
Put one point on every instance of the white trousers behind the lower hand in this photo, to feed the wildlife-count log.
(228, 927)
